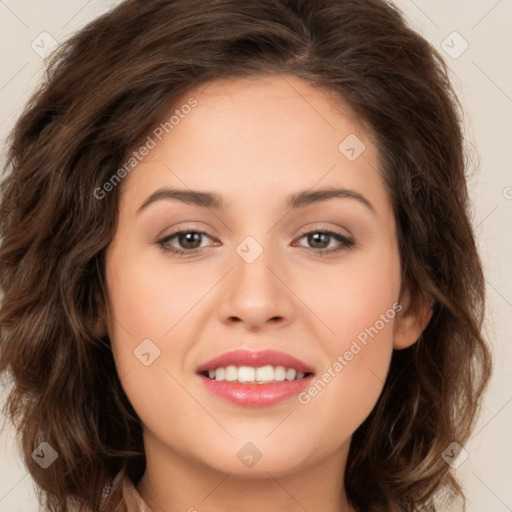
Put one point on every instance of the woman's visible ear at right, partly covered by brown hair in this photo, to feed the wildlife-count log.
(412, 319)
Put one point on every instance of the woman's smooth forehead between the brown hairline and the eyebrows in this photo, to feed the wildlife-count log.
(250, 137)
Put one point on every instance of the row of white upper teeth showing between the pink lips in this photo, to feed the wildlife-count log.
(261, 374)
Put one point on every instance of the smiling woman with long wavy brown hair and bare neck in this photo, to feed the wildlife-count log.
(320, 347)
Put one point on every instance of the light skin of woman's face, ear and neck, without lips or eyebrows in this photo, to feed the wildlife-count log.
(254, 141)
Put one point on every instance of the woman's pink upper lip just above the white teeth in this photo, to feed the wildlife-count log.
(256, 359)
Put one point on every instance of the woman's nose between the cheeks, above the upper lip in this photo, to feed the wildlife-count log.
(257, 294)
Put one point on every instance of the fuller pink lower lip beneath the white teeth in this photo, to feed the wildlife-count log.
(256, 395)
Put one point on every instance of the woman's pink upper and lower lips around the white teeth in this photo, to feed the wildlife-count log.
(253, 394)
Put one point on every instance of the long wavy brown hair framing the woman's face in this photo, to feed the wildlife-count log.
(105, 89)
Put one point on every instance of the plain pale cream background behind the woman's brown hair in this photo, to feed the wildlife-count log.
(482, 75)
